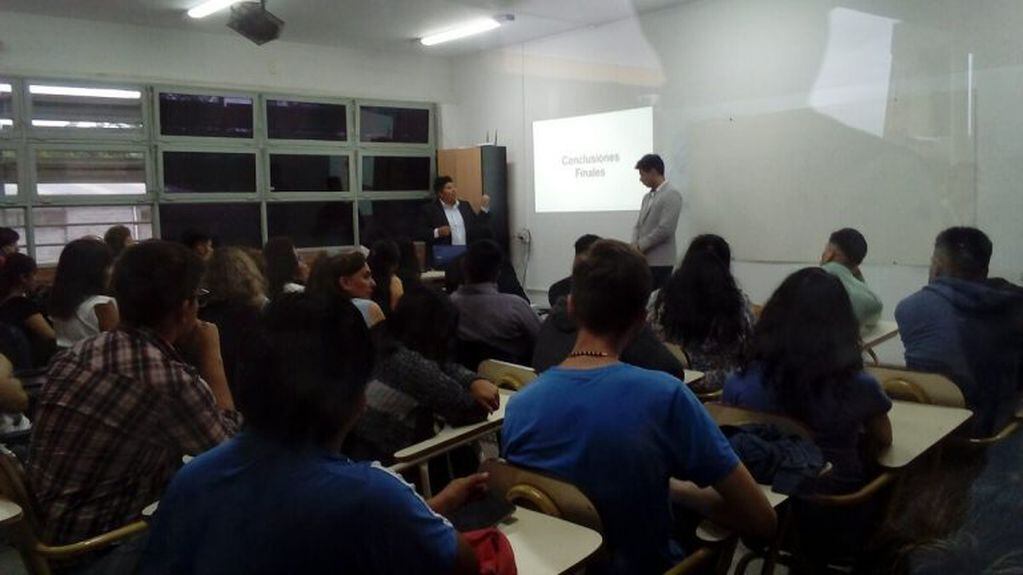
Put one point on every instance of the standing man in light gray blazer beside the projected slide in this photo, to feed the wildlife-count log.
(654, 234)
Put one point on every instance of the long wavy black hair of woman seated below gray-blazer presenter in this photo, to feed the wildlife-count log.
(701, 301)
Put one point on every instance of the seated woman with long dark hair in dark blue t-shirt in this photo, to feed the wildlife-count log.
(805, 363)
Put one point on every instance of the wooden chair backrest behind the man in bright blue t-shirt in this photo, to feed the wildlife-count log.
(543, 494)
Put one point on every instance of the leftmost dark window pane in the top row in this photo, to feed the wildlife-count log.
(192, 115)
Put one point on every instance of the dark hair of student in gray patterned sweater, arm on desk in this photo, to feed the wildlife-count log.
(425, 322)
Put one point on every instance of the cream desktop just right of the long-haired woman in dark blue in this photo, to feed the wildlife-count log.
(917, 428)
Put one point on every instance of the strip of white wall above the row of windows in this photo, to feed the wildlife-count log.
(62, 48)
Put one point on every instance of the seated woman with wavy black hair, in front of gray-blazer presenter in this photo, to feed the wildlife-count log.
(702, 311)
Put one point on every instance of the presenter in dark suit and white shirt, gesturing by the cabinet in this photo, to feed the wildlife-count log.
(447, 222)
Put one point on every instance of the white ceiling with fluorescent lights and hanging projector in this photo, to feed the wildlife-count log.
(376, 25)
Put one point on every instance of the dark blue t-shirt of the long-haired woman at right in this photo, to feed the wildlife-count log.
(836, 420)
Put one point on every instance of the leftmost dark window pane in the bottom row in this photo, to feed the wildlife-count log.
(229, 225)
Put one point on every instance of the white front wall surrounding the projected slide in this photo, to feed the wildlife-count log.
(863, 113)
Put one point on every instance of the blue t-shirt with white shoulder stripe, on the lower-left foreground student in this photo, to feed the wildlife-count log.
(253, 506)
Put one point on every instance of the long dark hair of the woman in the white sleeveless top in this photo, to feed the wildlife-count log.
(82, 272)
